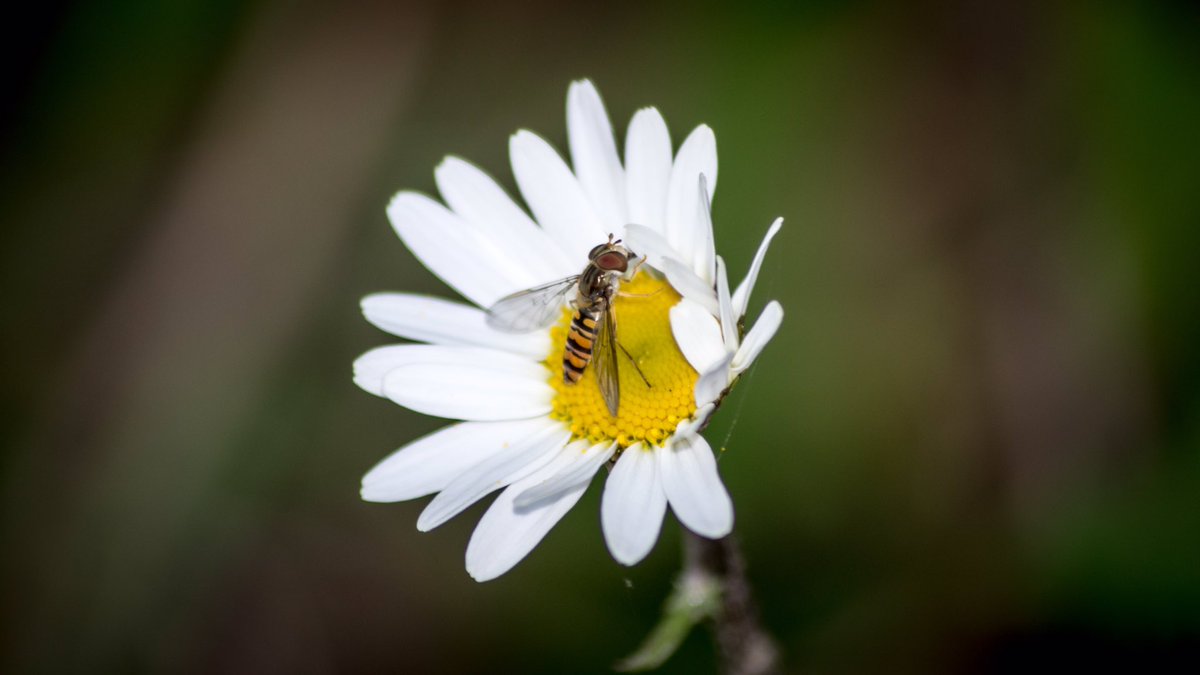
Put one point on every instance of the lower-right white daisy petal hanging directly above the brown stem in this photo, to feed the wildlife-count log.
(694, 488)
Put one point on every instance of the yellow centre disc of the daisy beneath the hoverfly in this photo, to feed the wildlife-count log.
(651, 408)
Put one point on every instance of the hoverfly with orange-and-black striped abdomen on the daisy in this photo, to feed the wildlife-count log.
(593, 333)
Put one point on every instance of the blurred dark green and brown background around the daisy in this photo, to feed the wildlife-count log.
(974, 447)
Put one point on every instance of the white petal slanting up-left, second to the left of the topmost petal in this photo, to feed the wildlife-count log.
(482, 202)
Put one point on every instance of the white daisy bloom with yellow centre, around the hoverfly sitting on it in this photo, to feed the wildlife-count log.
(523, 428)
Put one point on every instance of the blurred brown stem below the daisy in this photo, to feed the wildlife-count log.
(743, 644)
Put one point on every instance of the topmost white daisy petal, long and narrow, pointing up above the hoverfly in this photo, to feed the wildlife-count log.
(595, 154)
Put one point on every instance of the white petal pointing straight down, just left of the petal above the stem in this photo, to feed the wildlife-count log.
(633, 506)
